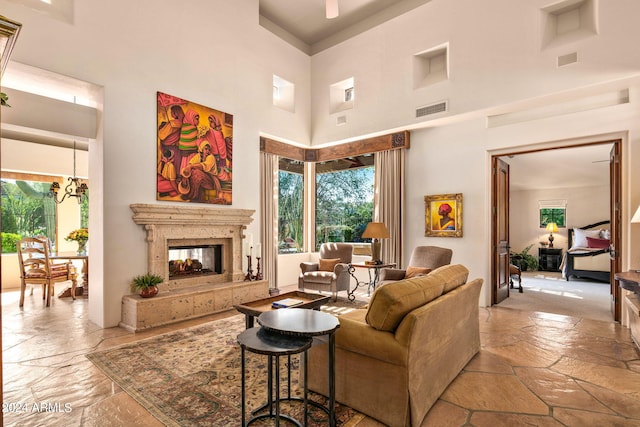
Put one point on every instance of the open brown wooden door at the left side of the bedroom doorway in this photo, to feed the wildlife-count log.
(500, 239)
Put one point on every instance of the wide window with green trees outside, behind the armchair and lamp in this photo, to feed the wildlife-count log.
(344, 199)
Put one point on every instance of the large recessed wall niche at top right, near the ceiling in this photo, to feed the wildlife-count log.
(569, 21)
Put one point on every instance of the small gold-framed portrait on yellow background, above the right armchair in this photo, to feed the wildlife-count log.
(443, 215)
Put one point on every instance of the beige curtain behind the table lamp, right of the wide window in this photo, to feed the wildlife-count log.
(389, 201)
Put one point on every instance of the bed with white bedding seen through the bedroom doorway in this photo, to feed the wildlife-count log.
(588, 256)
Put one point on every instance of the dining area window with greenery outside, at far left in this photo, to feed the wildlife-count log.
(26, 211)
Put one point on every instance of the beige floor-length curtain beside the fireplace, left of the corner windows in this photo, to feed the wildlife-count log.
(269, 223)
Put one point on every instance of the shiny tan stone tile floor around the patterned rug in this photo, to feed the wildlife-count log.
(534, 369)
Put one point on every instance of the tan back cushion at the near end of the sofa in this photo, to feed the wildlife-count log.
(390, 303)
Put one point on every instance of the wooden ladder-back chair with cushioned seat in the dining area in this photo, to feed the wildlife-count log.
(36, 269)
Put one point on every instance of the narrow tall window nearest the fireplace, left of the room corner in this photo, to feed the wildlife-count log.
(290, 206)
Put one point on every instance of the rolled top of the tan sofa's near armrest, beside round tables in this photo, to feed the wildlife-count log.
(357, 336)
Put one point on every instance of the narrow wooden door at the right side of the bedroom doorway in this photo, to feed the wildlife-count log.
(616, 232)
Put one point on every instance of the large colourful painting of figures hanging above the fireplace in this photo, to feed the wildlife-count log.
(195, 152)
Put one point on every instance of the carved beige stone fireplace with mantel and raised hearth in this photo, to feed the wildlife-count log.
(198, 252)
